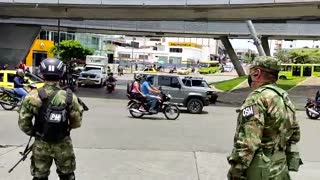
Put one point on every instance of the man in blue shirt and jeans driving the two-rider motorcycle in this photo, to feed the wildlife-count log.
(146, 88)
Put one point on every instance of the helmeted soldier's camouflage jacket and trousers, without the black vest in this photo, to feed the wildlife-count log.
(43, 152)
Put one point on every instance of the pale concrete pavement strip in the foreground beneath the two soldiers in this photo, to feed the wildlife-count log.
(109, 164)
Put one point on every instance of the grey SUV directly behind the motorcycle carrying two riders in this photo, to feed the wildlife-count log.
(193, 98)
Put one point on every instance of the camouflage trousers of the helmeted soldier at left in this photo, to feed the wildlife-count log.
(43, 154)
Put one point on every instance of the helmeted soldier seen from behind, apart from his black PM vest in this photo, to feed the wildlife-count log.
(43, 153)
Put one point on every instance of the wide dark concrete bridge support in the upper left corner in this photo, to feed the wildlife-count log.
(15, 42)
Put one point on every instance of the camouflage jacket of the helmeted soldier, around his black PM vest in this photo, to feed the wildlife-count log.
(32, 103)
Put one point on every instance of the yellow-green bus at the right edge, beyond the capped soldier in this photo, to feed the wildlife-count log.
(296, 70)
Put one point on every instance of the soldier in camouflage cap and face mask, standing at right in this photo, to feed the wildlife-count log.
(267, 129)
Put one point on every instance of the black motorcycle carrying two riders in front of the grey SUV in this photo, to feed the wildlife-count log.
(170, 110)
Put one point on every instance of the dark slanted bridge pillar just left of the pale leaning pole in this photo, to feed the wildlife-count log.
(233, 56)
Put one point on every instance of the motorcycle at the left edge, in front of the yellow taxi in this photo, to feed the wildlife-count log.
(9, 99)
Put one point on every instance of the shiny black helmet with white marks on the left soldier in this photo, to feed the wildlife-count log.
(52, 68)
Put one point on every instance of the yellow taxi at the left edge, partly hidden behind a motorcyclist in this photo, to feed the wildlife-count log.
(6, 79)
